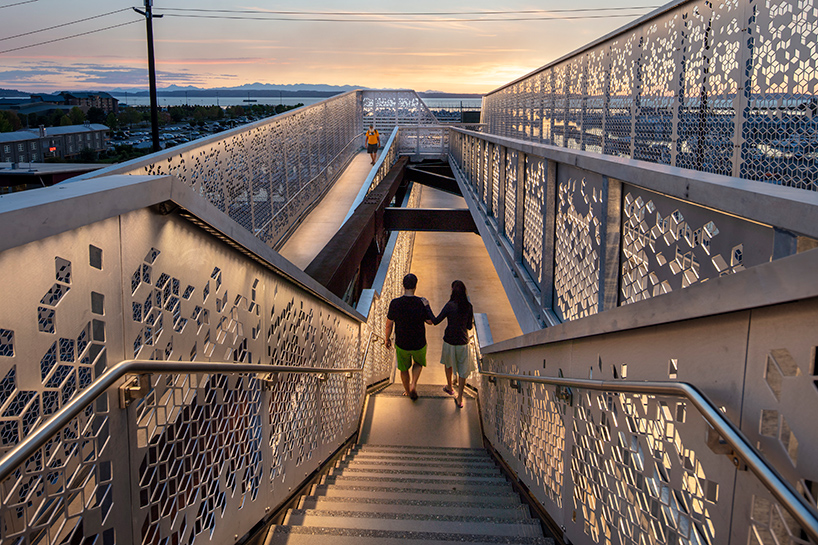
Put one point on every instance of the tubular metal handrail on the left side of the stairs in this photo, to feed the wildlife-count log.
(43, 433)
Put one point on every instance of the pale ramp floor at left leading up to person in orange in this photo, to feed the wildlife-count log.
(325, 219)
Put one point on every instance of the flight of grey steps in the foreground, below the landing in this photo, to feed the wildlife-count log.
(410, 495)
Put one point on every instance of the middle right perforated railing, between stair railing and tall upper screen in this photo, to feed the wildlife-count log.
(579, 233)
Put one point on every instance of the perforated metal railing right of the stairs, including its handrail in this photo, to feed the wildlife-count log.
(638, 424)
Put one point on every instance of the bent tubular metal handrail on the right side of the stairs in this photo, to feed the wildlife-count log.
(804, 513)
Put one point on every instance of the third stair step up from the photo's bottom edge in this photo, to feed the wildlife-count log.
(489, 495)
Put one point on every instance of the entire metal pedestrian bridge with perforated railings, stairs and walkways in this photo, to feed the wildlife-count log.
(647, 204)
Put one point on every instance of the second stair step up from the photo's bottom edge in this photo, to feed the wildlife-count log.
(460, 507)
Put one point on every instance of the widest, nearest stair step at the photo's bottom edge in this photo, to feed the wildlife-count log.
(300, 535)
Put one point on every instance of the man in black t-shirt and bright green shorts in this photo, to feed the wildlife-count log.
(409, 314)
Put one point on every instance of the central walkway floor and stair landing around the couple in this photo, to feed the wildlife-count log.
(434, 420)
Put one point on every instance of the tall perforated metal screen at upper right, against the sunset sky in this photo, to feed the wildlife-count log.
(724, 87)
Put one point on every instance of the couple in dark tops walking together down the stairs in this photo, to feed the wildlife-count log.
(409, 315)
